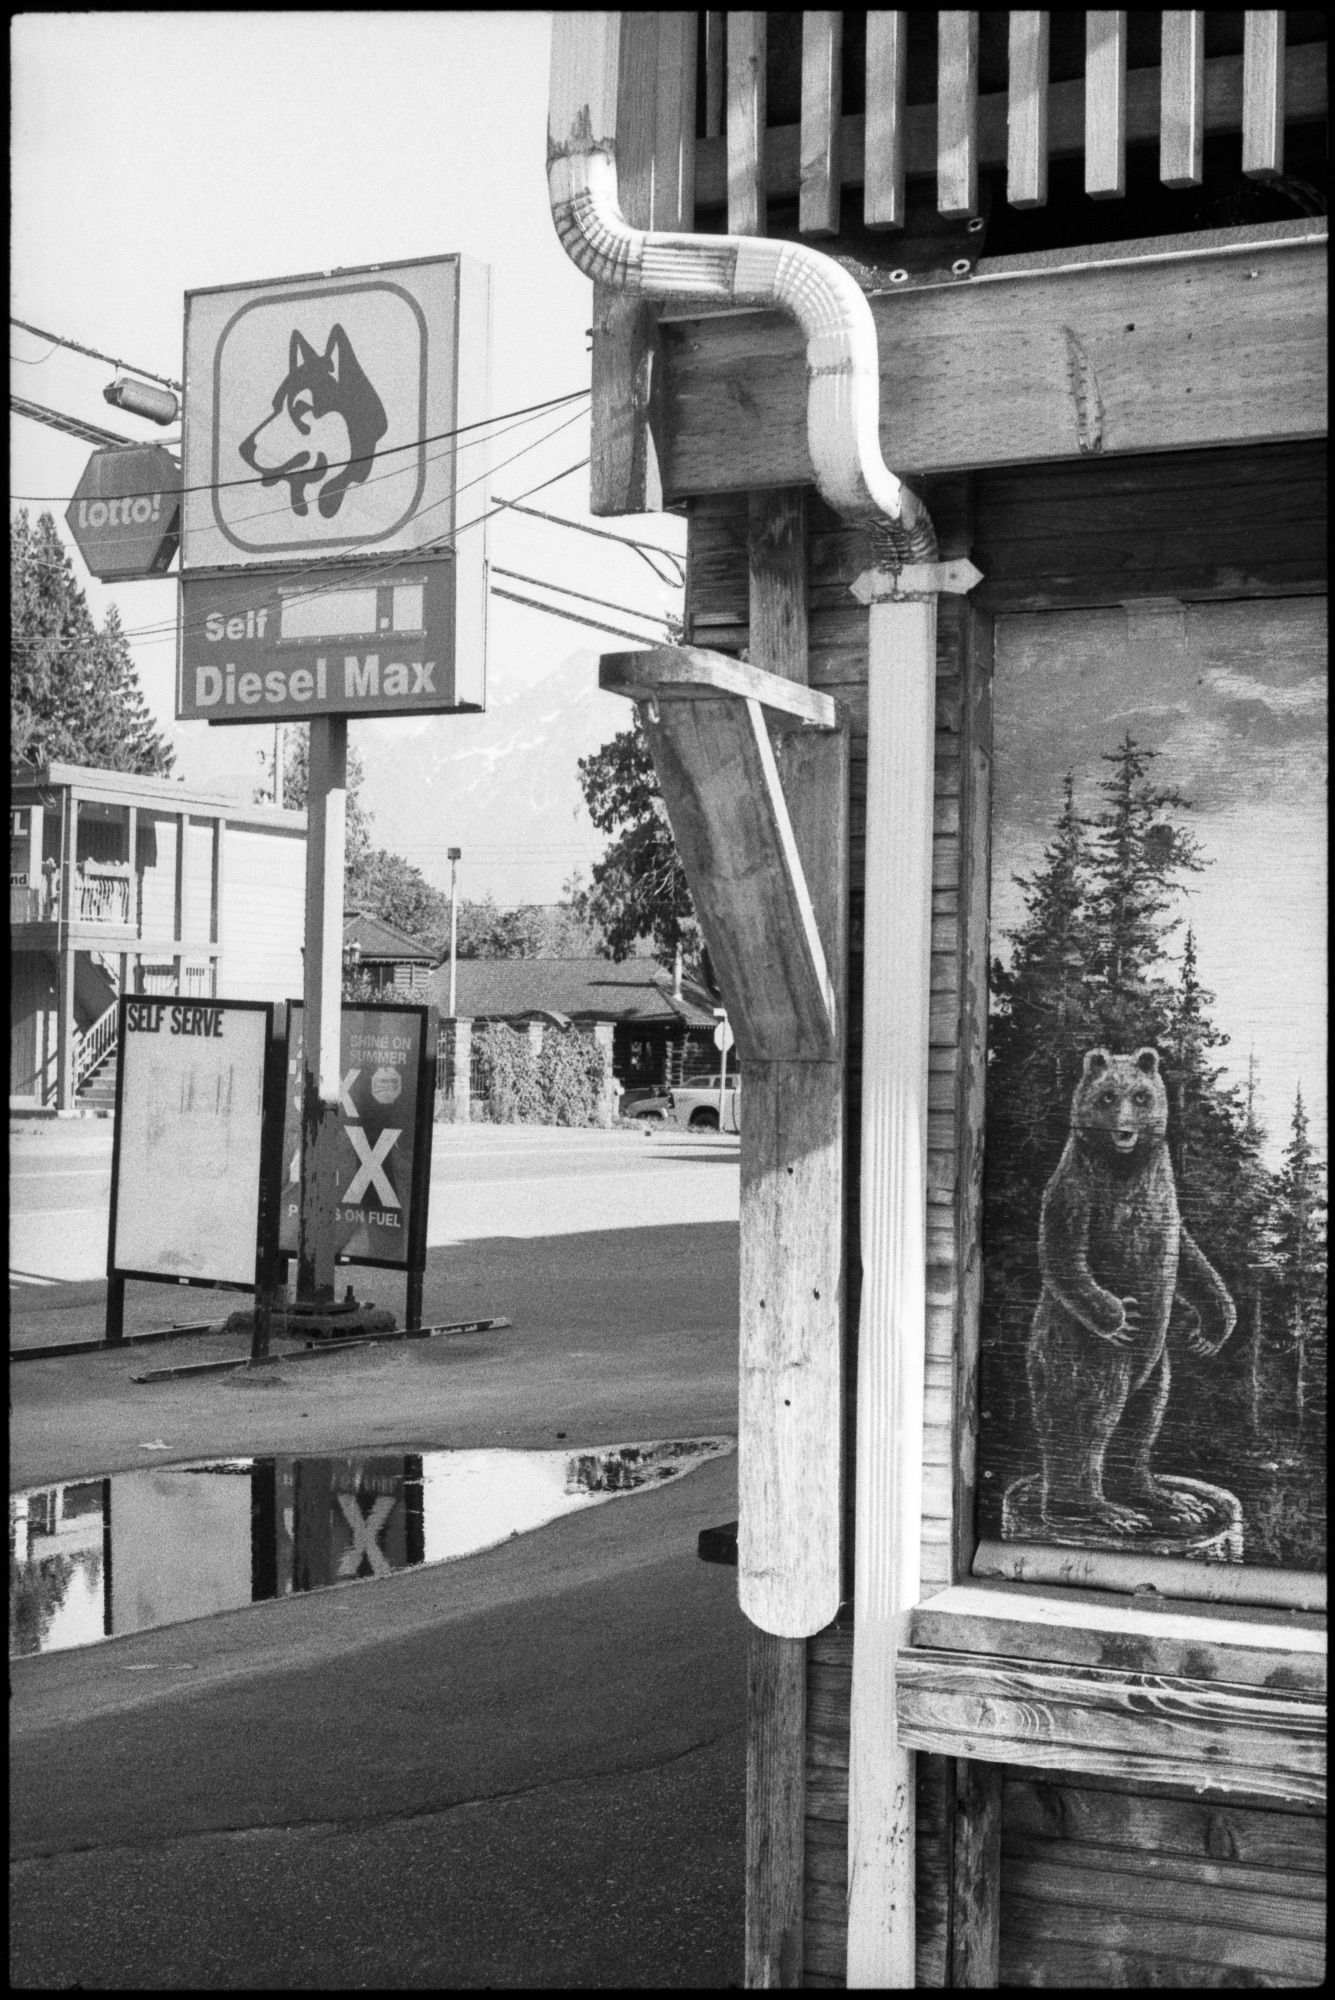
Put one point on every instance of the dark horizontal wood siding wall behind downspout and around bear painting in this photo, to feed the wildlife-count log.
(1102, 1883)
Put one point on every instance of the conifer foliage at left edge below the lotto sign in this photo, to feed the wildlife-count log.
(75, 693)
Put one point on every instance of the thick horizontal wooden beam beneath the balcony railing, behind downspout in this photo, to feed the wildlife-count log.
(1044, 363)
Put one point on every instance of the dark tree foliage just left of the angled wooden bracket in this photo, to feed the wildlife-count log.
(641, 889)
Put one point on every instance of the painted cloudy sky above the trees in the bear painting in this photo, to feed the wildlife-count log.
(1234, 703)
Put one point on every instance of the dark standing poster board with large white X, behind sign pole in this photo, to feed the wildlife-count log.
(385, 1157)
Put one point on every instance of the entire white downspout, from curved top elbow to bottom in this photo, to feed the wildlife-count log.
(844, 397)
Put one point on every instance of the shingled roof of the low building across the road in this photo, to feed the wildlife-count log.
(583, 989)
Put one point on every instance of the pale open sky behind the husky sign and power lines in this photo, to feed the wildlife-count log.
(171, 151)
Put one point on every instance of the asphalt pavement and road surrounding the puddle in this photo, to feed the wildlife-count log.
(523, 1769)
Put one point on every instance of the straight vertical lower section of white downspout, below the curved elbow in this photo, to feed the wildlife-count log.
(894, 1237)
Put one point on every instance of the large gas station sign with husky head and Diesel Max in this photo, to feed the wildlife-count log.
(329, 563)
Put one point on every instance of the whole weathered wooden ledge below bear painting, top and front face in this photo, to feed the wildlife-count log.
(1082, 1683)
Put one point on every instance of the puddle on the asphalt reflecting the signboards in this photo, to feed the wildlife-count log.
(97, 1559)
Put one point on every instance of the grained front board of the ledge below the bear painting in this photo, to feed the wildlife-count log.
(1160, 1729)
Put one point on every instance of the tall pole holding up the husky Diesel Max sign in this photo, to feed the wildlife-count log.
(327, 813)
